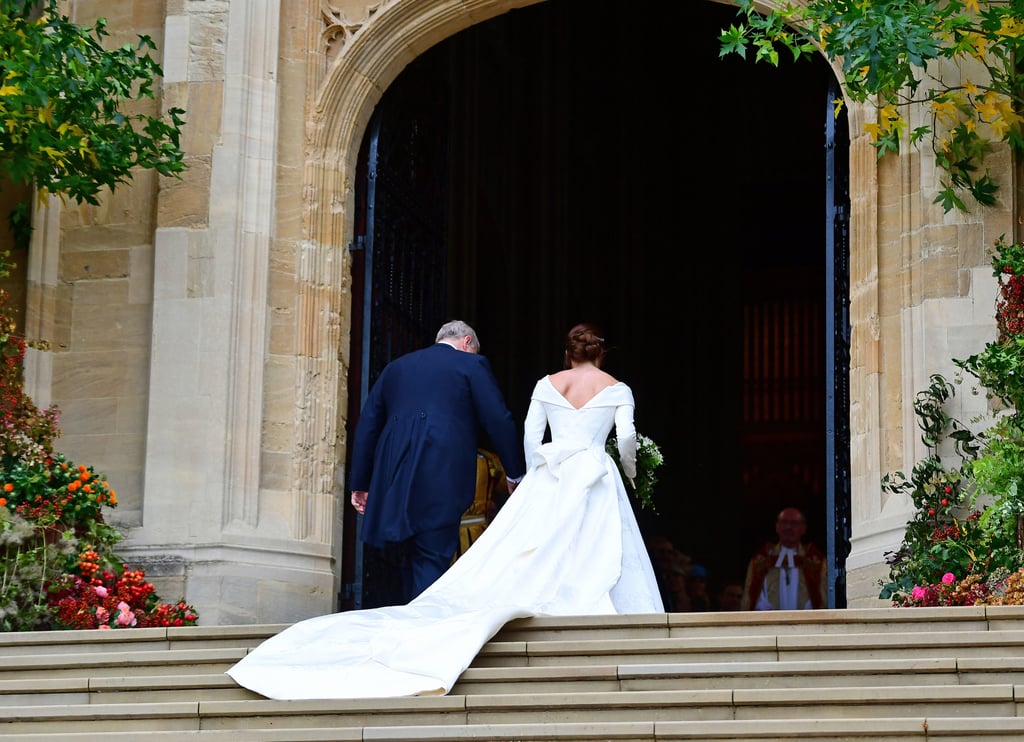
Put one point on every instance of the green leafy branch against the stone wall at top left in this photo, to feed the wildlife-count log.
(64, 122)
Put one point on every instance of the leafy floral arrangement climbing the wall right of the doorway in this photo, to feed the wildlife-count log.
(965, 543)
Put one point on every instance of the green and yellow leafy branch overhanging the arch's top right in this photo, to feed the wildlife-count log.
(957, 58)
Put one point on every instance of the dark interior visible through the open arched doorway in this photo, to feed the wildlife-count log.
(675, 198)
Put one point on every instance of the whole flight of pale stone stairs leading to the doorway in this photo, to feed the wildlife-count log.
(945, 674)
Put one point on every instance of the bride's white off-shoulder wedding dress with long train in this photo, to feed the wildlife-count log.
(566, 544)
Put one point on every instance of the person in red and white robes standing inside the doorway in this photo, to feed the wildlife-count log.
(788, 575)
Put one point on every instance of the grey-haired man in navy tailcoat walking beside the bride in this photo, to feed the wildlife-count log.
(414, 462)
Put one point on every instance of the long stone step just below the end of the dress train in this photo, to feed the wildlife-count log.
(893, 703)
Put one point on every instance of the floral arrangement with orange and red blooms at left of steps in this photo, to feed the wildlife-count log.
(58, 564)
